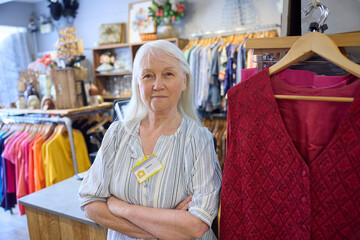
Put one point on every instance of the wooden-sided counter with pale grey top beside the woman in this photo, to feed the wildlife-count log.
(54, 213)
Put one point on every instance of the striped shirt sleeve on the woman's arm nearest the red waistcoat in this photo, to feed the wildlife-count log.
(205, 180)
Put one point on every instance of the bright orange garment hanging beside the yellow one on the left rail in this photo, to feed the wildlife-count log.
(39, 165)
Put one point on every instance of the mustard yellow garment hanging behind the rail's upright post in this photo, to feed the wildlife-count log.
(58, 163)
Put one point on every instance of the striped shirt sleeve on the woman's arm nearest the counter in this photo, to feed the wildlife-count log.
(95, 185)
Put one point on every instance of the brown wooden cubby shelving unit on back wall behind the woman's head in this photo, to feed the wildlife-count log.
(100, 79)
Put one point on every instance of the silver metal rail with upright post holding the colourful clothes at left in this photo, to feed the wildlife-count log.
(64, 120)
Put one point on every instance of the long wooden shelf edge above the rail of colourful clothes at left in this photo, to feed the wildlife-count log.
(61, 112)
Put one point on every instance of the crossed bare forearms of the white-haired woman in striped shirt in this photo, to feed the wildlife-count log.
(145, 222)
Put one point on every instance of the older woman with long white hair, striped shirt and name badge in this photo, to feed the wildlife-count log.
(156, 174)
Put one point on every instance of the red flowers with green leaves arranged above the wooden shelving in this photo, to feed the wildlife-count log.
(166, 10)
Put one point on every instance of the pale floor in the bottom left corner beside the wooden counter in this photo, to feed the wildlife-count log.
(13, 226)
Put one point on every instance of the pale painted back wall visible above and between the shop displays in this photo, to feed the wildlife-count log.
(201, 16)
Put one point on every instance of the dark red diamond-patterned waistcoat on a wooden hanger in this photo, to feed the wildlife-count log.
(292, 169)
